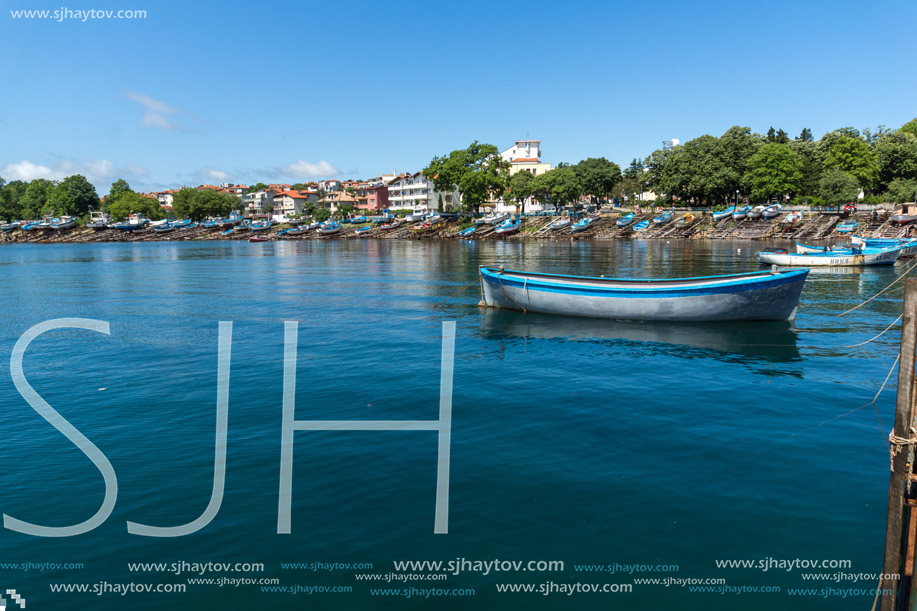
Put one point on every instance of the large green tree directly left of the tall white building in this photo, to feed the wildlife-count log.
(479, 173)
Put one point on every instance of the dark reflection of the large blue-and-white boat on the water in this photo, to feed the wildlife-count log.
(749, 344)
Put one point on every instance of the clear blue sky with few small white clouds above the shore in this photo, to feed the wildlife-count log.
(289, 91)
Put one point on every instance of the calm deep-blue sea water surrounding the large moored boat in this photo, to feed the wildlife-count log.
(583, 441)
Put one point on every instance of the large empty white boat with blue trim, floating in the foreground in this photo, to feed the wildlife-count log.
(768, 295)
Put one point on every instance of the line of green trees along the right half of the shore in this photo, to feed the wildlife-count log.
(707, 171)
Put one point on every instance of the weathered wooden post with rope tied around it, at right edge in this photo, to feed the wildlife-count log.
(904, 417)
